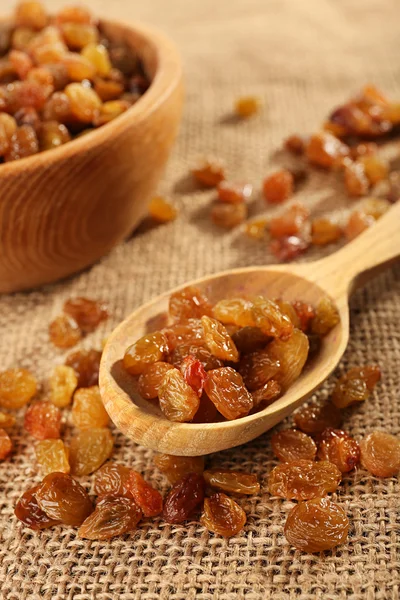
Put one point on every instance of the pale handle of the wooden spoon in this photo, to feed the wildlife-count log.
(369, 253)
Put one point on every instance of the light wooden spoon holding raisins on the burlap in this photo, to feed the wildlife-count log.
(337, 275)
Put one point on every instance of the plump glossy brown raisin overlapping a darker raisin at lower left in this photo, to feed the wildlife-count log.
(62, 498)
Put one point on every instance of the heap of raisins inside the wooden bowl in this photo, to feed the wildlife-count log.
(60, 77)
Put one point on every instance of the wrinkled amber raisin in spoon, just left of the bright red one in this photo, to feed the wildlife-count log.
(178, 401)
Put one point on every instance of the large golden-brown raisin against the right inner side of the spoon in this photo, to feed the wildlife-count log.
(292, 355)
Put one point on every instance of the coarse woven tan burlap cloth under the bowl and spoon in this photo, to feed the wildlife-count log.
(302, 57)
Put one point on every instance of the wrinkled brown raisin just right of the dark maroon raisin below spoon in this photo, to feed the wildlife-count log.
(222, 515)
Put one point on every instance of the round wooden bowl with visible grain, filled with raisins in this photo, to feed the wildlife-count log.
(63, 209)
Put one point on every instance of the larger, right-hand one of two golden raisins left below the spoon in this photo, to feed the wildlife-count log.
(89, 449)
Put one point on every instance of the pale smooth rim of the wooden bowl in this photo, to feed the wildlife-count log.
(167, 77)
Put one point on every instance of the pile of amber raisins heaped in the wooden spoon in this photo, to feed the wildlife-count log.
(225, 361)
